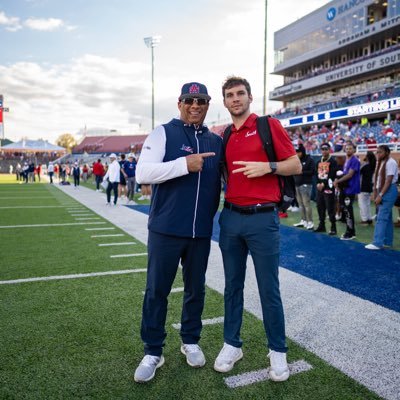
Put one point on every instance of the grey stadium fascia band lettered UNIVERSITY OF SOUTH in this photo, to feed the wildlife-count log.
(356, 69)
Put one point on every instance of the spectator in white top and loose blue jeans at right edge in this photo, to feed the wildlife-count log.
(385, 195)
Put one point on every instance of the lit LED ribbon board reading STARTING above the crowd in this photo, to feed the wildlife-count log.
(376, 107)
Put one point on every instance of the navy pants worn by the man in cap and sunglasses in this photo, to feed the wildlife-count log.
(165, 253)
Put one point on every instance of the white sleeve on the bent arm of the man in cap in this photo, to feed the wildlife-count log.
(150, 168)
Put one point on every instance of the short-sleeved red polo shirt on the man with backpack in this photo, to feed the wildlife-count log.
(245, 145)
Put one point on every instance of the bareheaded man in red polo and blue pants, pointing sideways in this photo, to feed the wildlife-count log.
(249, 223)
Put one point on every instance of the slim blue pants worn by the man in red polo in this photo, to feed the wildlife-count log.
(259, 235)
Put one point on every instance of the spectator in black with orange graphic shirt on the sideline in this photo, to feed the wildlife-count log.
(326, 173)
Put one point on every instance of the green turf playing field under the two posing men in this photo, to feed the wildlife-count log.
(80, 338)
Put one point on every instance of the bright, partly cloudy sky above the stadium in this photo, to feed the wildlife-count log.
(70, 64)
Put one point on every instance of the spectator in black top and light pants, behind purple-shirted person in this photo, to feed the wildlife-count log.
(364, 198)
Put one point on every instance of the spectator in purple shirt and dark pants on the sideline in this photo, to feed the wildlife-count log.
(351, 179)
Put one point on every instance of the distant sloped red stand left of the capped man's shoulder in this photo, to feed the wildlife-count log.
(110, 144)
